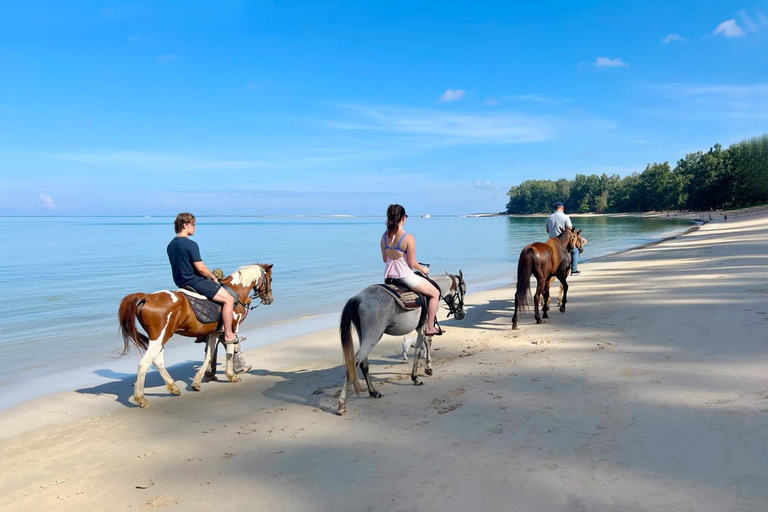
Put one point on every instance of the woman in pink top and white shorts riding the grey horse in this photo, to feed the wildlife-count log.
(398, 251)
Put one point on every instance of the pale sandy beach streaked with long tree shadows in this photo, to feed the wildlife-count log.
(648, 394)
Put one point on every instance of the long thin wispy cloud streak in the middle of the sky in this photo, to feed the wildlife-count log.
(454, 128)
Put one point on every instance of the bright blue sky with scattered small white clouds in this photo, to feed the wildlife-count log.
(272, 108)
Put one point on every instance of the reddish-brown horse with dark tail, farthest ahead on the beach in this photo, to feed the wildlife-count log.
(543, 261)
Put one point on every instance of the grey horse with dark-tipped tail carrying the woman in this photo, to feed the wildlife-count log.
(375, 312)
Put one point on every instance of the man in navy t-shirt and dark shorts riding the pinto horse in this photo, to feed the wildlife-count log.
(190, 271)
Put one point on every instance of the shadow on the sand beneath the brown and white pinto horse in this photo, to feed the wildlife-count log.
(122, 388)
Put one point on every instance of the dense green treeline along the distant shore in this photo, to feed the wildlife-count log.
(720, 178)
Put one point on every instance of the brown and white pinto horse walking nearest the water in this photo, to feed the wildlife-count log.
(165, 313)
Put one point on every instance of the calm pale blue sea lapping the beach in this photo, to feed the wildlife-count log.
(62, 278)
